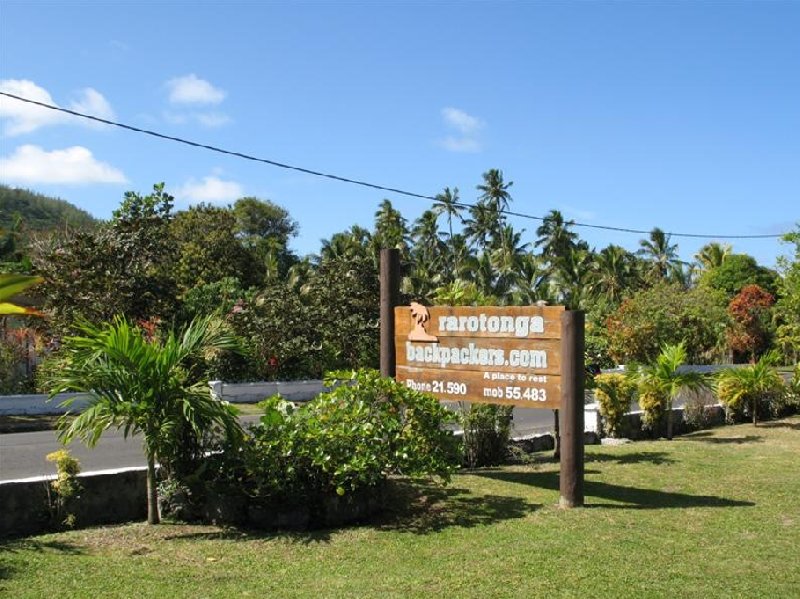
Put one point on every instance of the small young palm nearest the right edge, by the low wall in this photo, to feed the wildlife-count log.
(751, 384)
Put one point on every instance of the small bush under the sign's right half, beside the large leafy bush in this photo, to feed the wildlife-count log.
(487, 429)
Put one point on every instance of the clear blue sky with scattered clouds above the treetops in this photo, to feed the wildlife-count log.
(683, 115)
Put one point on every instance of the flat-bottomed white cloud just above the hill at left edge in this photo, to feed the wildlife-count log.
(71, 166)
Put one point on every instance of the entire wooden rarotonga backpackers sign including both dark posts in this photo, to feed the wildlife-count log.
(526, 356)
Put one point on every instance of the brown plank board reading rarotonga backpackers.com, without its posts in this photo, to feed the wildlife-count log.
(484, 354)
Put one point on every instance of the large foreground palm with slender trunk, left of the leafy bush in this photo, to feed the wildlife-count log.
(144, 385)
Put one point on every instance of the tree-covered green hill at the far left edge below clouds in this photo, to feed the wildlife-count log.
(39, 212)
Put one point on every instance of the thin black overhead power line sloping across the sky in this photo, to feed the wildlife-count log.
(355, 181)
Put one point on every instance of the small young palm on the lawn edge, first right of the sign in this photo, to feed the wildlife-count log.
(666, 379)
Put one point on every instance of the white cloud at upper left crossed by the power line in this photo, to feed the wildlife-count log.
(21, 117)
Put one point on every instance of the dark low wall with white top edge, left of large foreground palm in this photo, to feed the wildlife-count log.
(108, 497)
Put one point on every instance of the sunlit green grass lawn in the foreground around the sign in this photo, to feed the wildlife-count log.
(713, 514)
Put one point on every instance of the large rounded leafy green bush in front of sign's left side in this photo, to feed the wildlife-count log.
(346, 441)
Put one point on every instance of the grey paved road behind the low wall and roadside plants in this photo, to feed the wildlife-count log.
(22, 455)
